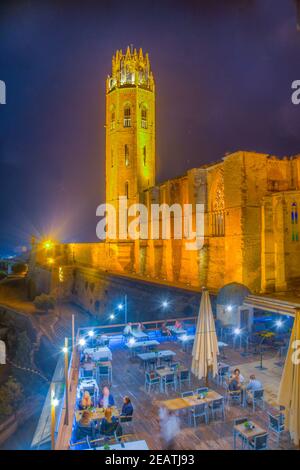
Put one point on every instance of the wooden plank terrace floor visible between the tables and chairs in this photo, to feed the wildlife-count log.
(128, 379)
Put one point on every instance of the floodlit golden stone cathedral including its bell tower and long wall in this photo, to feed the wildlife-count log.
(250, 201)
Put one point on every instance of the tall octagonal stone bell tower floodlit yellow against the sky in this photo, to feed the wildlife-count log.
(130, 127)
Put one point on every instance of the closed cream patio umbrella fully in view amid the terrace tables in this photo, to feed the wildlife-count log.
(205, 349)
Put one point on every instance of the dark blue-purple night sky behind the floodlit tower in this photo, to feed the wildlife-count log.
(223, 74)
